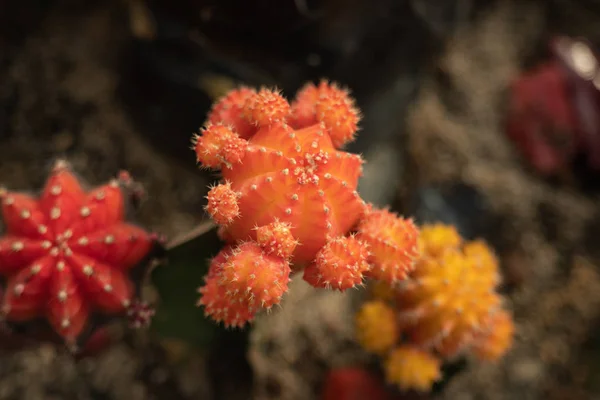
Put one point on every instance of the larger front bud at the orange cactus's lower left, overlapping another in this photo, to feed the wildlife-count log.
(253, 277)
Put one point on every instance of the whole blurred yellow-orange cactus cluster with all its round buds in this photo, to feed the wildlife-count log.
(447, 306)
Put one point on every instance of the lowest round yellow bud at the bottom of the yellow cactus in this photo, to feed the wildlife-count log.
(412, 369)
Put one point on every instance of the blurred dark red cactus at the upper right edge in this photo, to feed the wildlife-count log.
(553, 110)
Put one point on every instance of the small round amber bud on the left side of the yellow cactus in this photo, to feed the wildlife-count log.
(377, 330)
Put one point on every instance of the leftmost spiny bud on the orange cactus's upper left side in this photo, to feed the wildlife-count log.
(218, 146)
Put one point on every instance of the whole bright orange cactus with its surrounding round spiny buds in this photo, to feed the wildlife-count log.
(287, 201)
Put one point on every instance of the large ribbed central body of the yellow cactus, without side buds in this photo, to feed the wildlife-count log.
(447, 301)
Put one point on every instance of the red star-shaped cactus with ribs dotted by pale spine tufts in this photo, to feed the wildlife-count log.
(67, 253)
